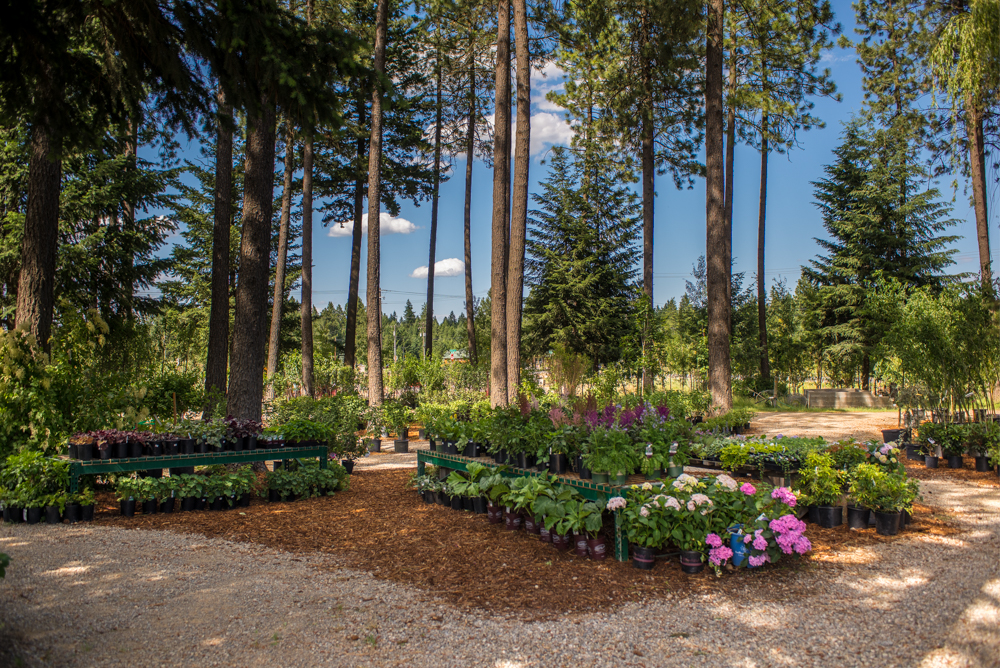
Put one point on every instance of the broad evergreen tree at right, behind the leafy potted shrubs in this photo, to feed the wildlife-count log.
(879, 227)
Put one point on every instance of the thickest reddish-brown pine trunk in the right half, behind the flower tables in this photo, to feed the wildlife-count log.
(719, 371)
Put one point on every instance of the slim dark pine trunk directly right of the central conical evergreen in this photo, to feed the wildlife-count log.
(648, 203)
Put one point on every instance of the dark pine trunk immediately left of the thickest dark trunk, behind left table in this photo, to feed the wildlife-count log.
(217, 358)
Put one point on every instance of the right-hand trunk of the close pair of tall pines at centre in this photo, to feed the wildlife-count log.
(519, 207)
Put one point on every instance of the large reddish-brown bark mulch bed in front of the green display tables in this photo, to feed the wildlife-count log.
(381, 526)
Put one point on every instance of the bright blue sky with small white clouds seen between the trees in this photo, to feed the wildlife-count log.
(792, 219)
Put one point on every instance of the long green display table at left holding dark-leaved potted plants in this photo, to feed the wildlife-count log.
(78, 468)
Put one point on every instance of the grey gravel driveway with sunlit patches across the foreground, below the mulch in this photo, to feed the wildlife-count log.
(89, 596)
